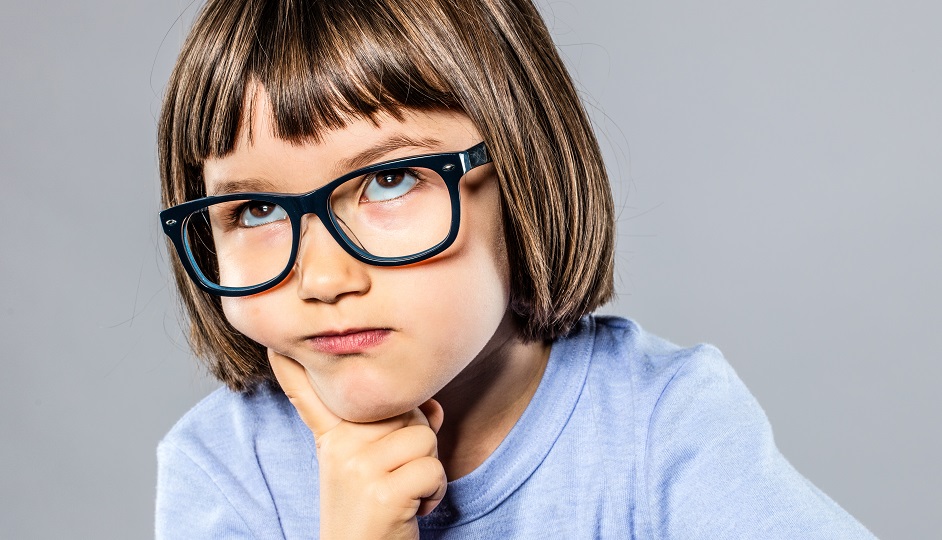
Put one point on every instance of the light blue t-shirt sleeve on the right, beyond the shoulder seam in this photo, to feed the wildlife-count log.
(713, 471)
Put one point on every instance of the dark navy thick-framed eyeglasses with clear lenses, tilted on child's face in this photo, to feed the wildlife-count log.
(389, 214)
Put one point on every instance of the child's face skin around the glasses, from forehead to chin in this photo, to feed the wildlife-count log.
(417, 327)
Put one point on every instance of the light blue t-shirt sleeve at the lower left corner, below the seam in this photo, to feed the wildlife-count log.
(190, 504)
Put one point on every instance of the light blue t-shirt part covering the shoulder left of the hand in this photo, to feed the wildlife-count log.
(223, 467)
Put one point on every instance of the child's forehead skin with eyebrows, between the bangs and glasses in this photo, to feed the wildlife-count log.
(262, 161)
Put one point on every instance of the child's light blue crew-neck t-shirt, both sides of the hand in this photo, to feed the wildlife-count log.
(627, 436)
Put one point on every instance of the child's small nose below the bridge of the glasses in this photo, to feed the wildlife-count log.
(325, 271)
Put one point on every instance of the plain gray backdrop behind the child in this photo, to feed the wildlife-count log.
(777, 167)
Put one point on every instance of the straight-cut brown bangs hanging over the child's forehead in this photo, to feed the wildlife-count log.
(323, 64)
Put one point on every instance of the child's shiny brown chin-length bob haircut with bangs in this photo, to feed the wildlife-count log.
(326, 62)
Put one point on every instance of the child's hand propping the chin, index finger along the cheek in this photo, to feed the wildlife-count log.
(375, 478)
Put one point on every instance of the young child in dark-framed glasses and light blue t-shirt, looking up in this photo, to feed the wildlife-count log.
(392, 220)
